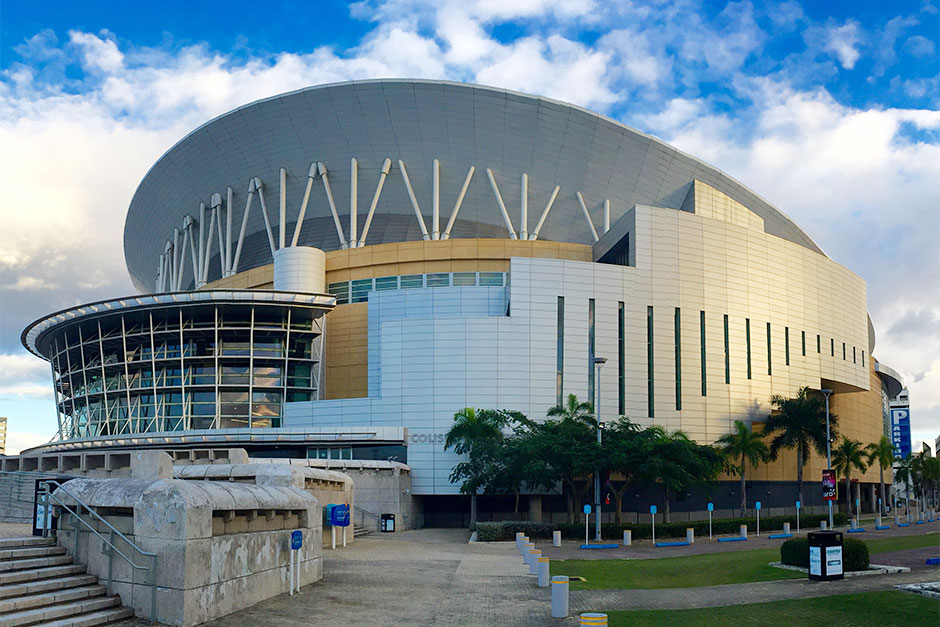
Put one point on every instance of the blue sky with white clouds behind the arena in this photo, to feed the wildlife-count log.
(827, 109)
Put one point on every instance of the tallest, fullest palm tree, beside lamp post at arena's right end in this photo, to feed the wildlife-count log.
(799, 423)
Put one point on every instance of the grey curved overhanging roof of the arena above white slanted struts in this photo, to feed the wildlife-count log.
(416, 122)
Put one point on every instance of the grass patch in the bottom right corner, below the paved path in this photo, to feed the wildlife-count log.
(867, 608)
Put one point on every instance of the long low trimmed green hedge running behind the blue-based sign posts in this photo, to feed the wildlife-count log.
(506, 529)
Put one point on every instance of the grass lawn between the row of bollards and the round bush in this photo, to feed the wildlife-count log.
(675, 572)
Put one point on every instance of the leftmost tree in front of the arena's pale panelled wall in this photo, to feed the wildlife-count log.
(477, 435)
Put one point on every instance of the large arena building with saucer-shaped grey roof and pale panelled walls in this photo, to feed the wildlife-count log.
(334, 272)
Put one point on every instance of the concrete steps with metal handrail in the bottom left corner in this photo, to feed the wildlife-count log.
(39, 585)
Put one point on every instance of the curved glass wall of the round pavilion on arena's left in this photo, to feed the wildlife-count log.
(190, 365)
